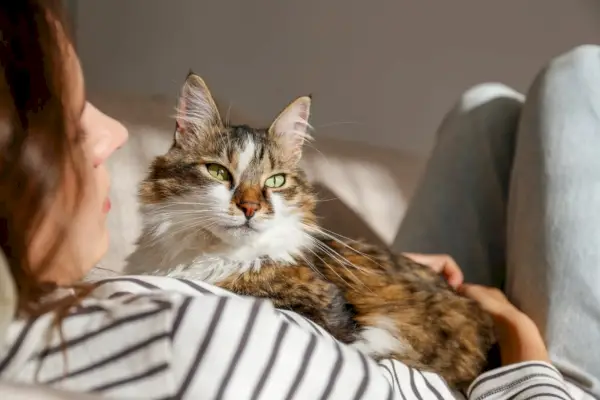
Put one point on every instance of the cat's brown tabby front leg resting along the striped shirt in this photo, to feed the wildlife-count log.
(299, 289)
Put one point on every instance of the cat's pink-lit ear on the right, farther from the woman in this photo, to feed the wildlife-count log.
(291, 127)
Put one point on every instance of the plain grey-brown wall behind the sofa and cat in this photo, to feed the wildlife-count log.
(382, 71)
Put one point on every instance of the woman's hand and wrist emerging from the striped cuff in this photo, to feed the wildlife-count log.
(518, 336)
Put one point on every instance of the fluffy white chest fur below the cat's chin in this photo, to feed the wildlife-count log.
(165, 248)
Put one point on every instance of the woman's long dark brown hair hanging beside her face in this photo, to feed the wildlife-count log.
(38, 132)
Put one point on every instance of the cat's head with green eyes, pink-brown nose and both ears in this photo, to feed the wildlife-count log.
(235, 182)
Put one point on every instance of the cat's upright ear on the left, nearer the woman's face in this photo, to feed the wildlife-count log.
(197, 113)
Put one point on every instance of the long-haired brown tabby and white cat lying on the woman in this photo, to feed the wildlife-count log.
(231, 206)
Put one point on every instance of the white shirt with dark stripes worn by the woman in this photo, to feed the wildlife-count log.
(165, 338)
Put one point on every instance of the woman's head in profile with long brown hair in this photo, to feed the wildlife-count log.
(53, 146)
